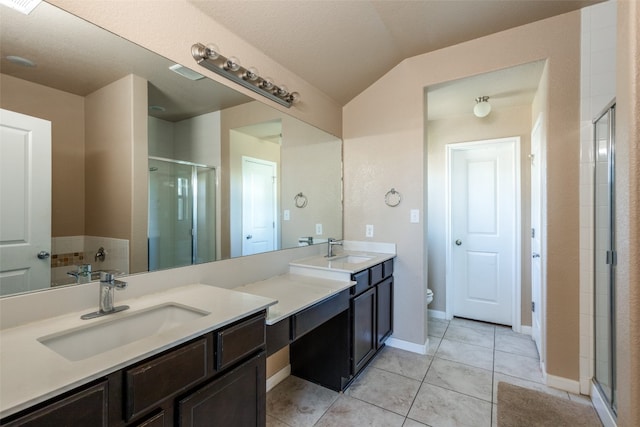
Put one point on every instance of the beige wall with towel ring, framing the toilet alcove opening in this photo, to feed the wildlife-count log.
(384, 147)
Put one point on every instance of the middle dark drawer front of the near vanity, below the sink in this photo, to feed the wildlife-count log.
(159, 378)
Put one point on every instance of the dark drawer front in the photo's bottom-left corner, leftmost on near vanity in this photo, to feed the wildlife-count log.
(83, 408)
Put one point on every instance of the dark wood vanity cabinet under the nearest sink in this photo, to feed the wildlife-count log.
(216, 379)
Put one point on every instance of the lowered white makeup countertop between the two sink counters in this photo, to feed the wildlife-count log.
(294, 293)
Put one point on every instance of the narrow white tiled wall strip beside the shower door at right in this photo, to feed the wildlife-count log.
(598, 88)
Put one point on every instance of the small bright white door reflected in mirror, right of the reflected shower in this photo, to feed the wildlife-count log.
(258, 205)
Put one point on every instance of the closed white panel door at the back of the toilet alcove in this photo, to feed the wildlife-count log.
(484, 197)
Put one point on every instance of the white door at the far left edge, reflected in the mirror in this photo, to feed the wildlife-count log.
(25, 203)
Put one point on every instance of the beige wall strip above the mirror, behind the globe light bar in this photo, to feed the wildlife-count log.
(170, 28)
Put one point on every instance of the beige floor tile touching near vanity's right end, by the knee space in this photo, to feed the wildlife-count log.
(299, 403)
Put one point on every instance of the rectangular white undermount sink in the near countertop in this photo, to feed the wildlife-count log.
(109, 333)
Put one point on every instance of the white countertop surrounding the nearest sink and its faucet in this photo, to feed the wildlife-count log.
(32, 373)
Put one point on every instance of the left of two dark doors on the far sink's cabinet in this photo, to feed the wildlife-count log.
(364, 328)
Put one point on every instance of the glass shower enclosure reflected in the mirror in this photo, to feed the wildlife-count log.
(182, 213)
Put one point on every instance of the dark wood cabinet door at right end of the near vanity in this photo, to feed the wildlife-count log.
(238, 398)
